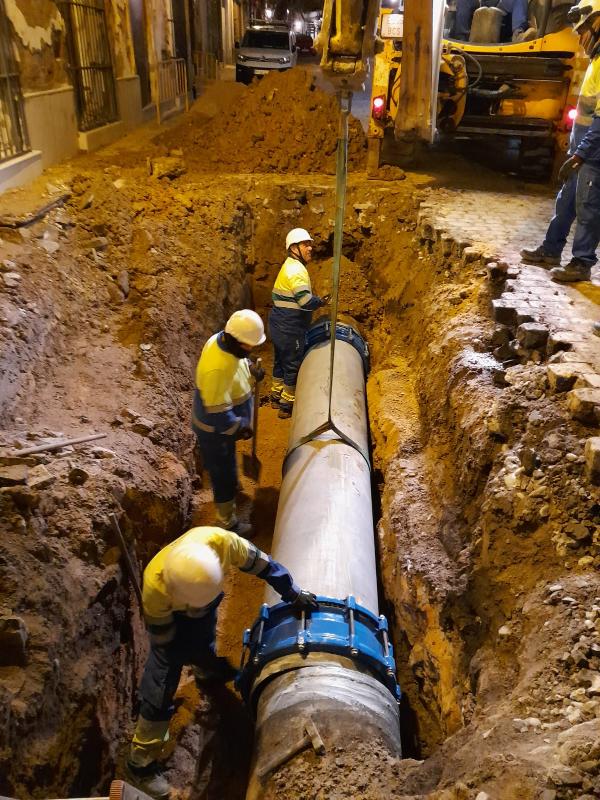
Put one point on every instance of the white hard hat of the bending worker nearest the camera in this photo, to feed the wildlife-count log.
(193, 574)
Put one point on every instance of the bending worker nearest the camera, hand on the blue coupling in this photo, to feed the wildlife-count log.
(182, 589)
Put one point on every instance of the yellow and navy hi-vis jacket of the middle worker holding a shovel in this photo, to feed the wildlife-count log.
(223, 397)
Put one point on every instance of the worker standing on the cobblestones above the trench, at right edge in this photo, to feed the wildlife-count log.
(577, 200)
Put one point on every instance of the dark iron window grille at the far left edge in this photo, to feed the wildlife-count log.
(13, 130)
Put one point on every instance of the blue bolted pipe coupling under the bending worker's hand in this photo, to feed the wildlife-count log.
(340, 627)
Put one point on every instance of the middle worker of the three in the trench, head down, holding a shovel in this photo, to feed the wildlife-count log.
(222, 410)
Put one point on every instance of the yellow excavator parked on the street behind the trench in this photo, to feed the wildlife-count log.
(428, 85)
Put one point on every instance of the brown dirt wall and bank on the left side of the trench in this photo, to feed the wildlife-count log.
(114, 300)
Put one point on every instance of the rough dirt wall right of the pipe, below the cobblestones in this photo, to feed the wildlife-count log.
(484, 494)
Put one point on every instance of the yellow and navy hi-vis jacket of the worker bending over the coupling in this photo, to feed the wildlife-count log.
(232, 551)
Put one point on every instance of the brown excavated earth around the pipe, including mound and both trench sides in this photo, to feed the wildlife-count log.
(488, 531)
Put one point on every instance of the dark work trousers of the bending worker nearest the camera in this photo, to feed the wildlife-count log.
(194, 644)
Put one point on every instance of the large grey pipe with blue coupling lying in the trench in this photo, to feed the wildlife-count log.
(335, 666)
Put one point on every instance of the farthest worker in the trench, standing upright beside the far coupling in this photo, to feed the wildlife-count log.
(293, 304)
